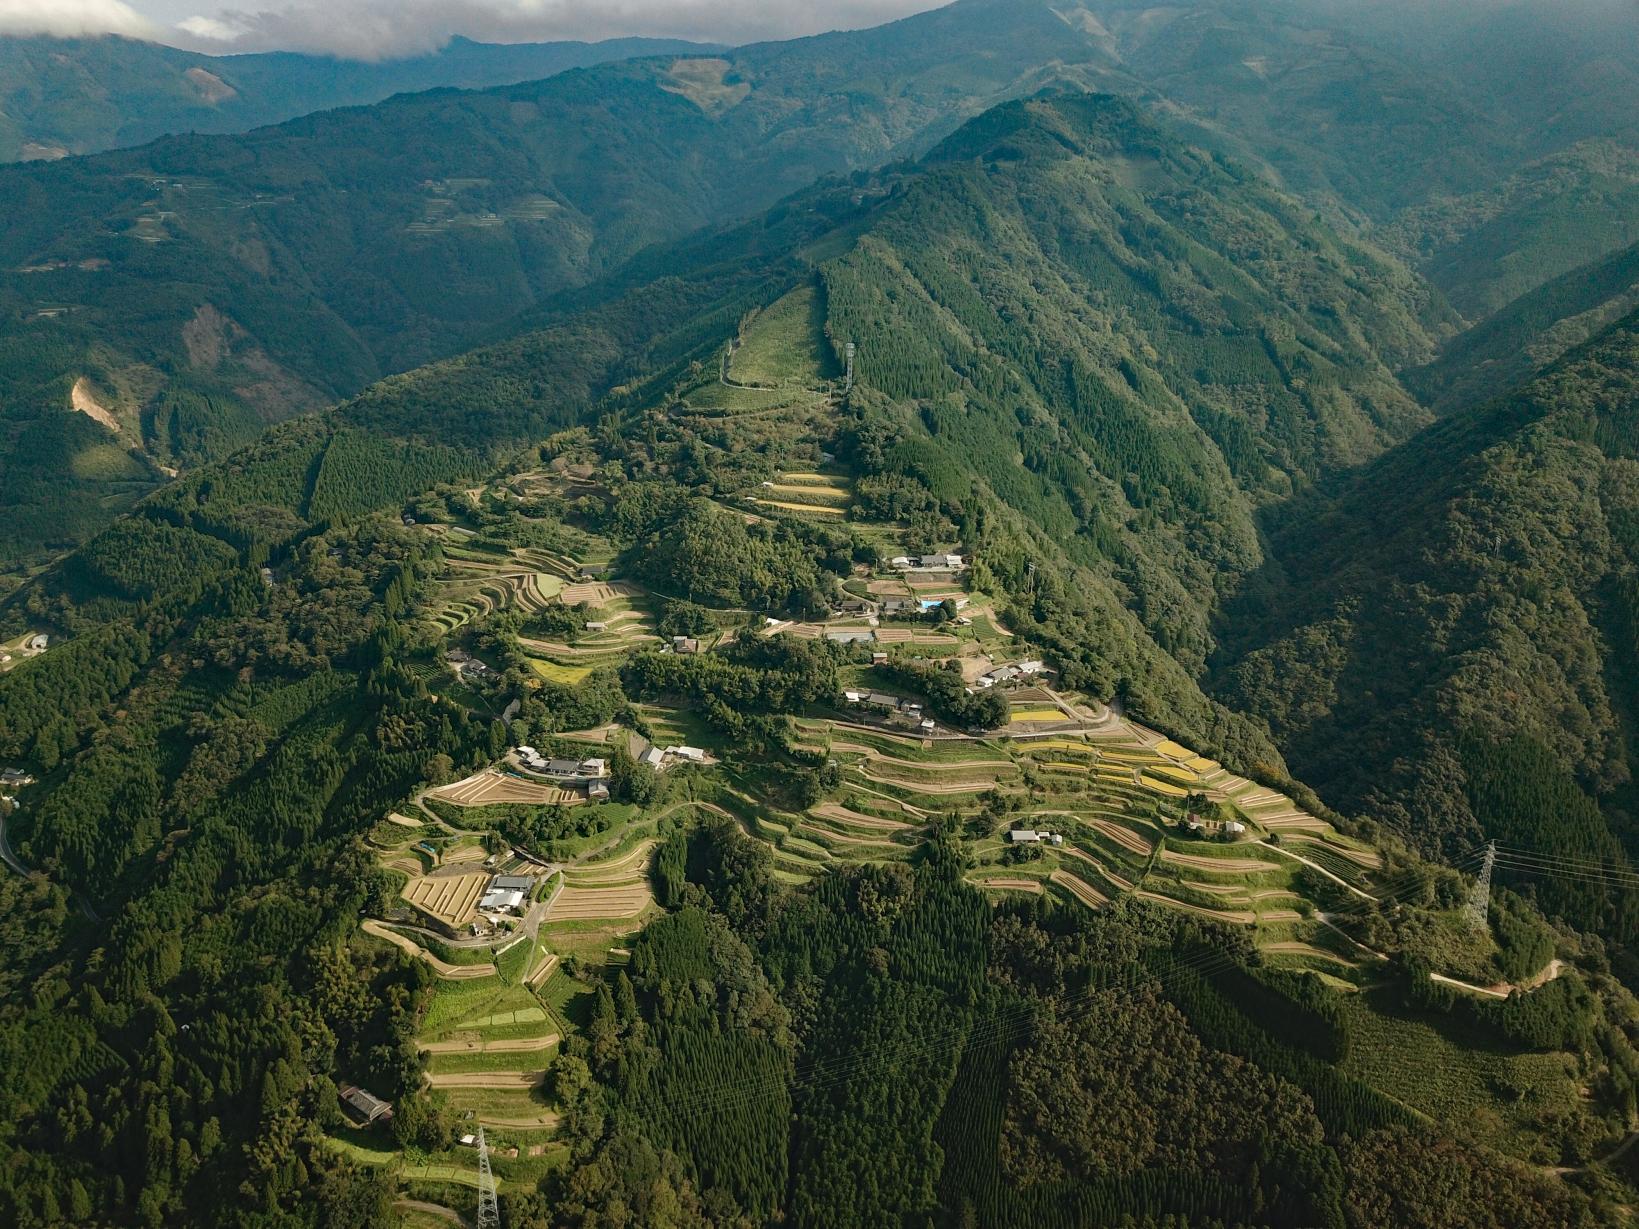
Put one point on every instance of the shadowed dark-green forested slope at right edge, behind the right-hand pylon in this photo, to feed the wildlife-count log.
(1450, 643)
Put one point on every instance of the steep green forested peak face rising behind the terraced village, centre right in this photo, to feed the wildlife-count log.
(1122, 338)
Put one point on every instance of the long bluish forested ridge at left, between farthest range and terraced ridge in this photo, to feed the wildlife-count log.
(204, 288)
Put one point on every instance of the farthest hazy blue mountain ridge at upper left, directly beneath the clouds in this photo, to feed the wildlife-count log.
(83, 96)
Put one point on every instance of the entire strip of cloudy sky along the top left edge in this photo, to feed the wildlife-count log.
(386, 29)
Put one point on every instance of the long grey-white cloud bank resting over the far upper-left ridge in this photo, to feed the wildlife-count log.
(388, 29)
